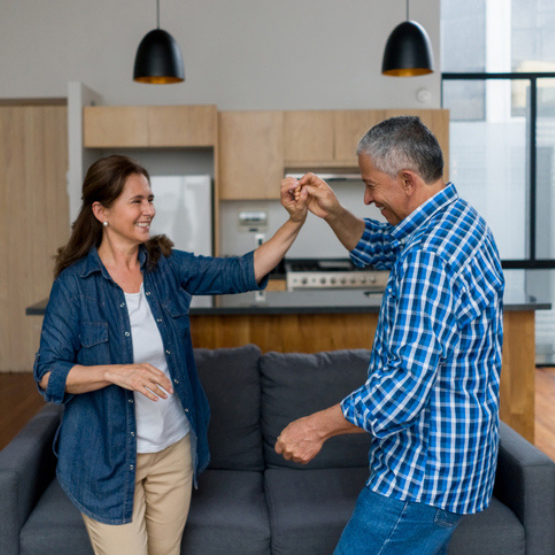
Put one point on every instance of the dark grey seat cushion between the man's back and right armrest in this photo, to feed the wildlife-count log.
(495, 530)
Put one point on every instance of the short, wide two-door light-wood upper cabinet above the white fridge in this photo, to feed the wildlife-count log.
(149, 126)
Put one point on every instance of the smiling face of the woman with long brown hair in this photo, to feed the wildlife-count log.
(130, 215)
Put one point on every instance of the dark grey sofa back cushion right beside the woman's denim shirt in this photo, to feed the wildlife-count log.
(231, 380)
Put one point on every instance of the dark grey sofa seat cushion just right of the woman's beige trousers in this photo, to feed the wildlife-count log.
(228, 515)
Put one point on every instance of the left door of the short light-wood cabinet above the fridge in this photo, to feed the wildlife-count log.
(115, 126)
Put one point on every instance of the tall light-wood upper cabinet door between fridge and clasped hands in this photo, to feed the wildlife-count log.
(251, 154)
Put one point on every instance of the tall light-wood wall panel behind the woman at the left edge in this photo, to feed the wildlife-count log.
(34, 216)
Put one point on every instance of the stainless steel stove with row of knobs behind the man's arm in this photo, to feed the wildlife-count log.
(334, 273)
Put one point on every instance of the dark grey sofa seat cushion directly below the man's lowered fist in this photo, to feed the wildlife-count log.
(309, 509)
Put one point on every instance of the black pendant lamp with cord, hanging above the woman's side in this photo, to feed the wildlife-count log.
(158, 60)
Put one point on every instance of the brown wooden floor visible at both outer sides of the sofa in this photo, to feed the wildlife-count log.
(20, 400)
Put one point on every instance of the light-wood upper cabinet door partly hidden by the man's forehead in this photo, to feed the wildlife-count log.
(349, 128)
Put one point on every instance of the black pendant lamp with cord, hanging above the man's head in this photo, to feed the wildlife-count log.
(408, 51)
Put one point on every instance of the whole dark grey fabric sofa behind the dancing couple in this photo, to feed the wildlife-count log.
(250, 500)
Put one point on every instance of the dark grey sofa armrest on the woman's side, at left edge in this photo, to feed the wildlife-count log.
(27, 466)
